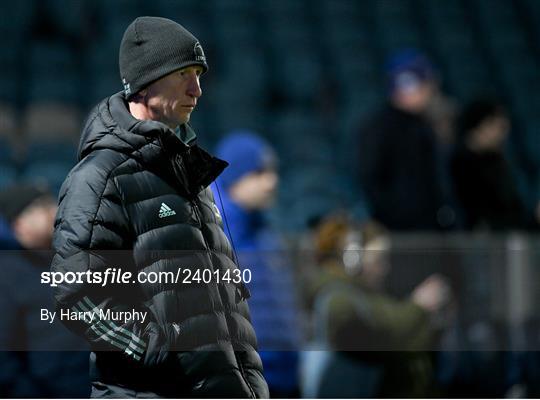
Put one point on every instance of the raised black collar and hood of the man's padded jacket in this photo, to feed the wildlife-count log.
(186, 166)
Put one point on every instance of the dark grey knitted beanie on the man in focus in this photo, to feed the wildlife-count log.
(153, 47)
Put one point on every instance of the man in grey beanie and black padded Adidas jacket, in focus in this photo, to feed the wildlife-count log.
(141, 188)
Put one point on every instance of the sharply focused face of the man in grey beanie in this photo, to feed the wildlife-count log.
(171, 99)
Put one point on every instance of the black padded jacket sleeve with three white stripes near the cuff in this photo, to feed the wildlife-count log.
(92, 233)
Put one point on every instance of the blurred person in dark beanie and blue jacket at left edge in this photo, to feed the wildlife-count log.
(29, 211)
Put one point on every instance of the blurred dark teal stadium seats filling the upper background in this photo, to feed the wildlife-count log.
(301, 72)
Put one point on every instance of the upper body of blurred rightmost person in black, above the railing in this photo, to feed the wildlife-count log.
(483, 180)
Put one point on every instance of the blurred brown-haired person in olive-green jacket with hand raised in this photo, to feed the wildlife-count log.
(381, 344)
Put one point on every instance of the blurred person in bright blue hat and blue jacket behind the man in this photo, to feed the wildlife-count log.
(247, 189)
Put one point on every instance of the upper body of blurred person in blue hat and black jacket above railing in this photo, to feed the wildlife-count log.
(398, 153)
